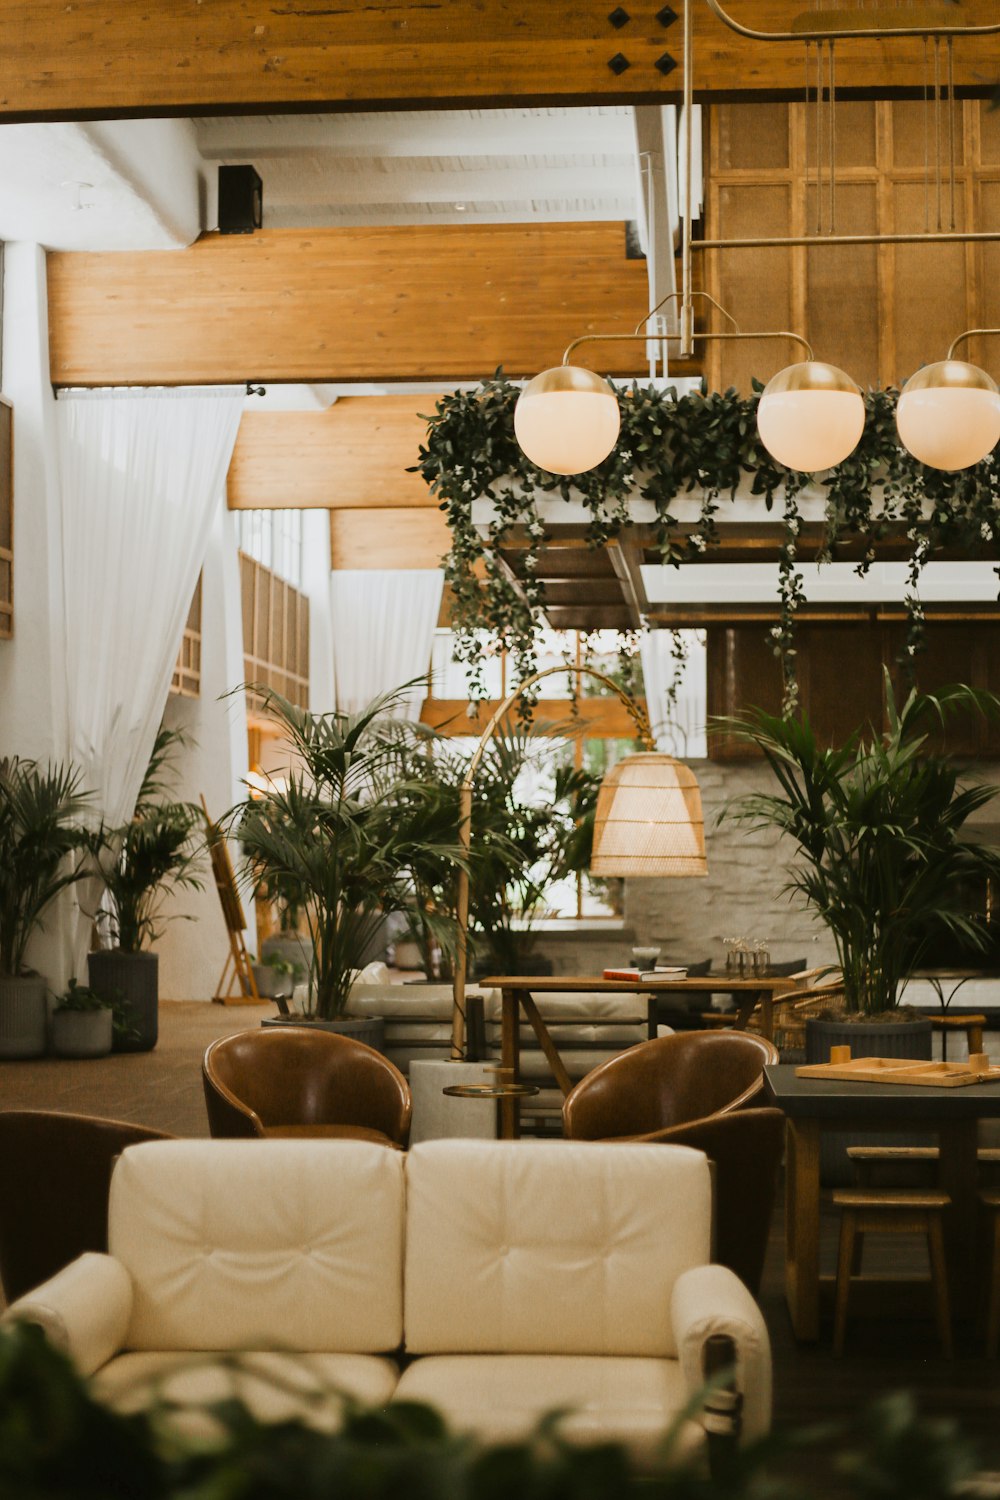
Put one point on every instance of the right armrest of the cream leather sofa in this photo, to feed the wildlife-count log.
(713, 1300)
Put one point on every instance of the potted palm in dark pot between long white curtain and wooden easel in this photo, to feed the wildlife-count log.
(157, 853)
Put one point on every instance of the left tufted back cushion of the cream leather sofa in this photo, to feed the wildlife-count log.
(263, 1244)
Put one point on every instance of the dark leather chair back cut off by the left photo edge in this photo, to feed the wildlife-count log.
(55, 1178)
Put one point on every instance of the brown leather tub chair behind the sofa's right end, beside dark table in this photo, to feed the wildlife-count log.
(699, 1090)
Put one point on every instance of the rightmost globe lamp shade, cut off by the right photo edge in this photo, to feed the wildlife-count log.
(948, 415)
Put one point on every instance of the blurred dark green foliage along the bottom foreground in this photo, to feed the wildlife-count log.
(58, 1444)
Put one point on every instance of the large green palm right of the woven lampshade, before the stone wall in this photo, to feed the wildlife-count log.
(878, 824)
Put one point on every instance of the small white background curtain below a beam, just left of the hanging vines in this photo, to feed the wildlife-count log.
(383, 634)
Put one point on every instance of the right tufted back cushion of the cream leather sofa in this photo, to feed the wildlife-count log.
(542, 1249)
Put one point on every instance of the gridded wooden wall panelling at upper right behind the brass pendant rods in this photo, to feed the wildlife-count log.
(876, 311)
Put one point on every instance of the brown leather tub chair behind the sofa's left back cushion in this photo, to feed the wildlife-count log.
(293, 1081)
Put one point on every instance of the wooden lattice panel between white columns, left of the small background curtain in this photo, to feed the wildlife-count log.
(275, 634)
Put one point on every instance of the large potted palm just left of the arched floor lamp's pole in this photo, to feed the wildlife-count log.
(341, 835)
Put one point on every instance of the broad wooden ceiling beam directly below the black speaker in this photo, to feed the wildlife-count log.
(323, 305)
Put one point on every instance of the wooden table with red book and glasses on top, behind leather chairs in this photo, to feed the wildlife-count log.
(518, 995)
